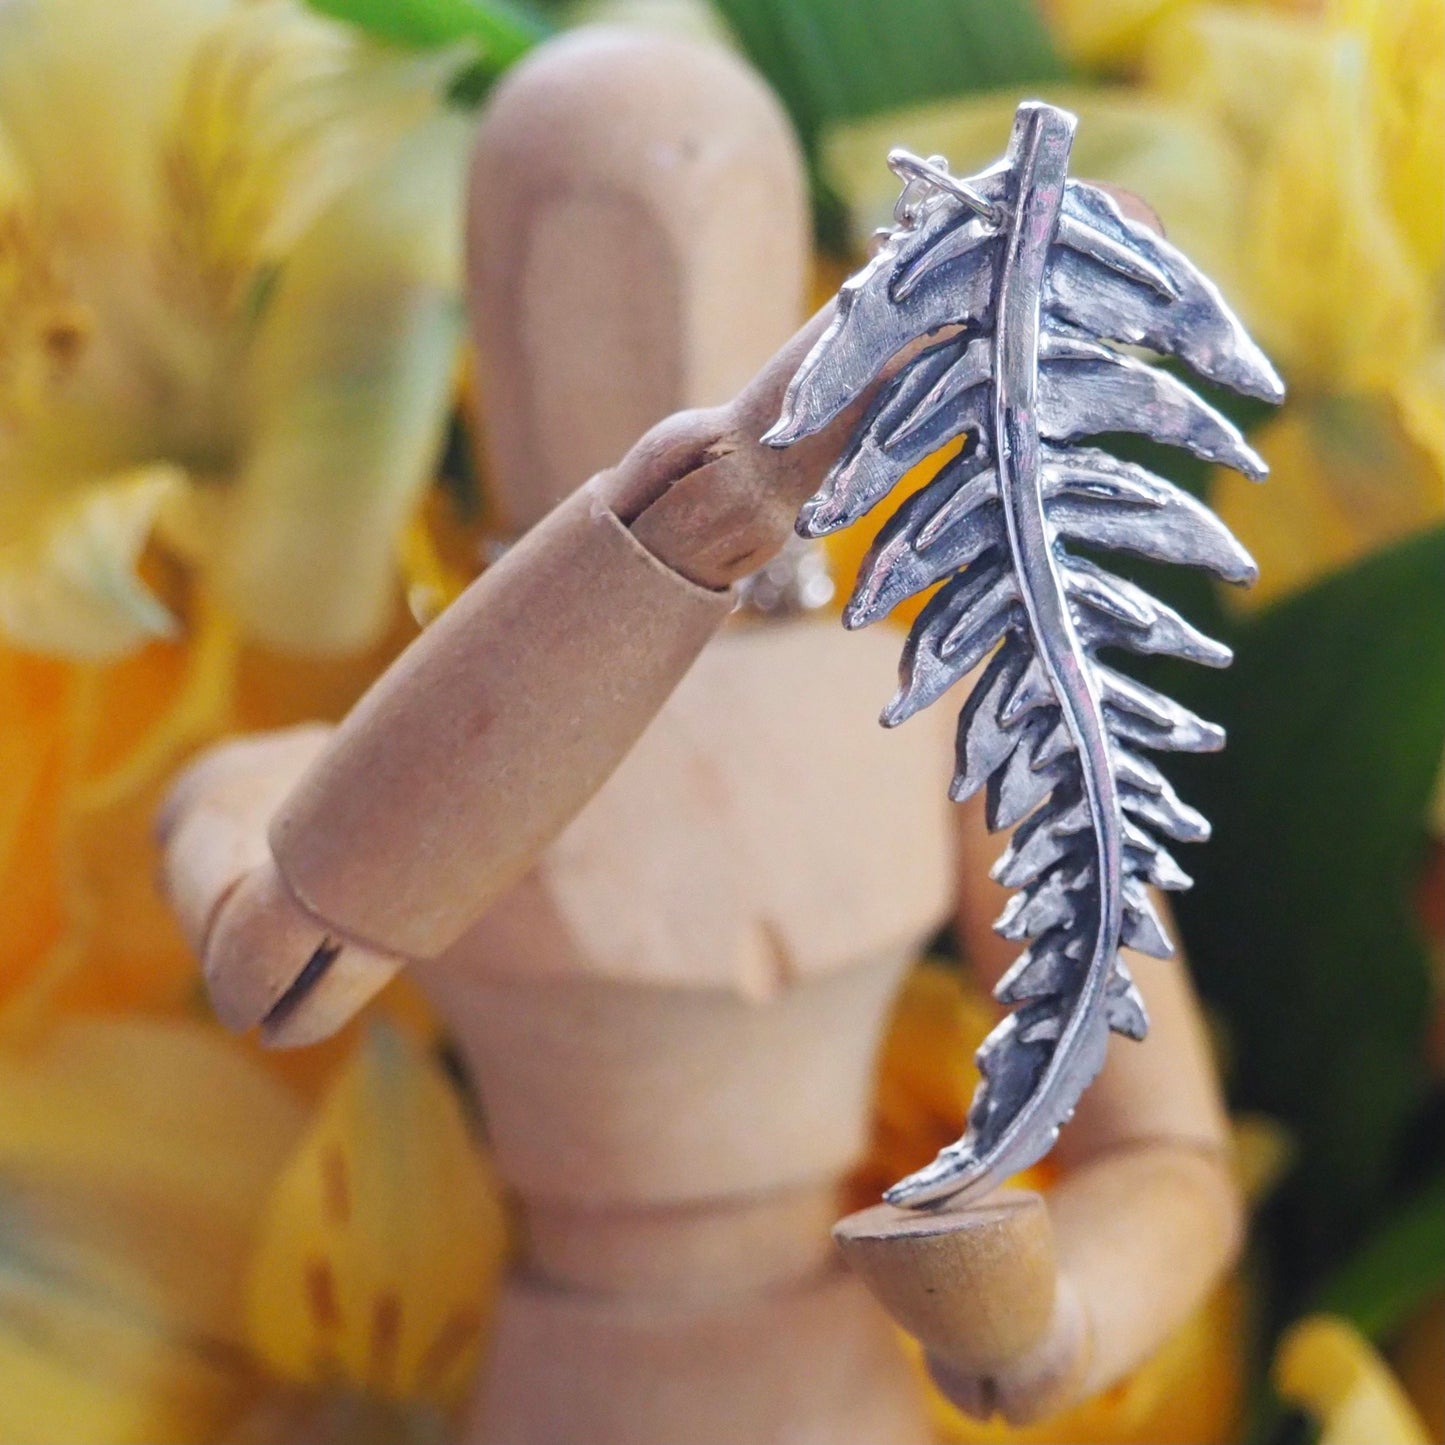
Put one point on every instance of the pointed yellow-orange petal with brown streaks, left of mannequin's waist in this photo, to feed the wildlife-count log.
(384, 1238)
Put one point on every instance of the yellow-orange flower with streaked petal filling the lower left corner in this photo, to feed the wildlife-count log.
(183, 1254)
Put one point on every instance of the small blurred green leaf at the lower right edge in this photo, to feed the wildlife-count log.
(1397, 1271)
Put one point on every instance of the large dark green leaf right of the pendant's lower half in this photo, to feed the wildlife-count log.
(1303, 927)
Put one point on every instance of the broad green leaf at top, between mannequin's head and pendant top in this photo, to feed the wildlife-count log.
(840, 60)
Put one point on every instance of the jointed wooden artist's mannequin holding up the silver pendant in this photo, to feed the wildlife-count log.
(671, 995)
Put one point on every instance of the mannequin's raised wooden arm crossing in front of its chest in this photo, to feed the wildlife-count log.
(488, 735)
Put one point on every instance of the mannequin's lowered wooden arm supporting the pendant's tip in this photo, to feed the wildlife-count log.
(1051, 1301)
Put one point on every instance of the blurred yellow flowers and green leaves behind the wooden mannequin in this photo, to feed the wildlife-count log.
(236, 476)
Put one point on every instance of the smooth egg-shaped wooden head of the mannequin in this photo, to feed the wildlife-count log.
(639, 216)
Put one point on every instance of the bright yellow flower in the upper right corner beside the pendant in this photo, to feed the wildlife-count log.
(1342, 118)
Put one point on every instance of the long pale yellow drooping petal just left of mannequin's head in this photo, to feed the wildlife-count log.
(350, 381)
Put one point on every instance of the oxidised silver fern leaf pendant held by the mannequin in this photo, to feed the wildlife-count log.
(1034, 282)
